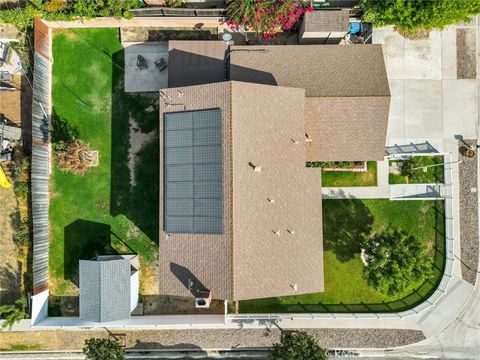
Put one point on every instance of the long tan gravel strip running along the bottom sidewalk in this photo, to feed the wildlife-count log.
(209, 339)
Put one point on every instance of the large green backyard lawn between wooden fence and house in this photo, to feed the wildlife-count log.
(103, 211)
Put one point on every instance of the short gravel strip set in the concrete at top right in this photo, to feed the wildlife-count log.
(466, 60)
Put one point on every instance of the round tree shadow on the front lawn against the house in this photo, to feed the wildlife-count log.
(346, 223)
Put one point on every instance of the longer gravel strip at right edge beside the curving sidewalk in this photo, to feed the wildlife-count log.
(468, 214)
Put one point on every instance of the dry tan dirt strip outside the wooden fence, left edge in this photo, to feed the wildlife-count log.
(10, 269)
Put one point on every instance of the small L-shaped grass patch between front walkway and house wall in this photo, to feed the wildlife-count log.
(350, 178)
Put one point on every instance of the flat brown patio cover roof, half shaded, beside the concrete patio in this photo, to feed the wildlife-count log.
(195, 62)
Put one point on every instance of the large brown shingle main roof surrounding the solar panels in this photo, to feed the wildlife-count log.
(273, 244)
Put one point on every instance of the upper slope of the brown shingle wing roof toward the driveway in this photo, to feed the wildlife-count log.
(336, 70)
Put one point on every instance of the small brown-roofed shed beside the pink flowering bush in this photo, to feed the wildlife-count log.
(324, 26)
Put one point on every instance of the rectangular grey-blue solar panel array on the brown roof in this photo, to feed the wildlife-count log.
(193, 194)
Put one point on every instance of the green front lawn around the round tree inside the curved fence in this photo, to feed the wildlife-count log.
(346, 223)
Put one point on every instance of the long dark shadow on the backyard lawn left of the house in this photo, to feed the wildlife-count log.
(138, 201)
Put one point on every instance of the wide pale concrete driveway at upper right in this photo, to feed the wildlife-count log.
(433, 97)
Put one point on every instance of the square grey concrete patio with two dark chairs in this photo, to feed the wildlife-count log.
(151, 78)
